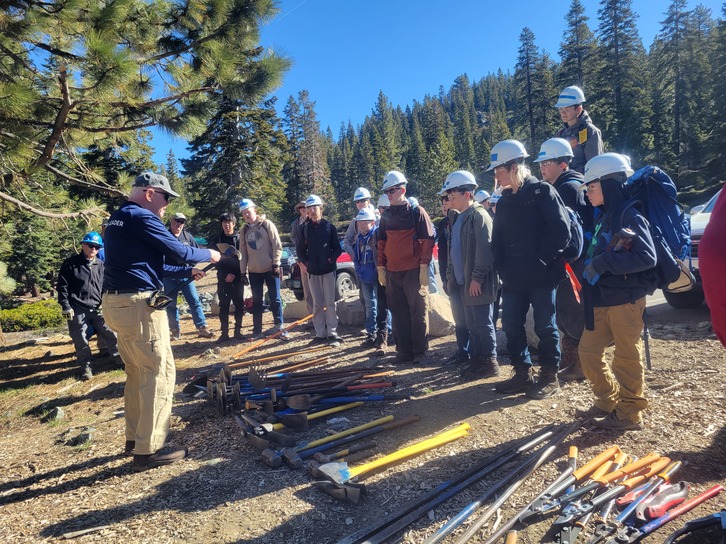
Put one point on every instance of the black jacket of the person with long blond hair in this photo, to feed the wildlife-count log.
(531, 229)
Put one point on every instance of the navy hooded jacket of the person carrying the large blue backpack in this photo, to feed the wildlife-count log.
(625, 276)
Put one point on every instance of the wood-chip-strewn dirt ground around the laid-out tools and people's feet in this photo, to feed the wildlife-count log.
(52, 482)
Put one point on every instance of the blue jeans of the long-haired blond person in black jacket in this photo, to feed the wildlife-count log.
(515, 305)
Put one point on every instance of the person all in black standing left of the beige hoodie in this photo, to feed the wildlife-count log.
(230, 281)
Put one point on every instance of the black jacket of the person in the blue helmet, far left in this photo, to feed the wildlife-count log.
(79, 283)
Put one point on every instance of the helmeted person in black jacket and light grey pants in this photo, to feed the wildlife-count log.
(318, 249)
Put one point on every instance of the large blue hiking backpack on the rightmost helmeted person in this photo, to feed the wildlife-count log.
(654, 193)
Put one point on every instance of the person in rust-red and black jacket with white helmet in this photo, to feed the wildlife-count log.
(405, 249)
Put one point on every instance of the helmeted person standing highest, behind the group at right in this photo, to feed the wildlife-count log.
(584, 137)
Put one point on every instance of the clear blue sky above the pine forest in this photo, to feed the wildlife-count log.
(345, 52)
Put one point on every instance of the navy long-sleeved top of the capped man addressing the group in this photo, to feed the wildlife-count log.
(137, 243)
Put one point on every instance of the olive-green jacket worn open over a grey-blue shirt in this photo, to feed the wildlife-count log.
(476, 238)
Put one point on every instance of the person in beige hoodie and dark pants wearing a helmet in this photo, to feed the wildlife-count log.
(261, 250)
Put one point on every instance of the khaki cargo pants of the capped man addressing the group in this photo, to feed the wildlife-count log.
(145, 347)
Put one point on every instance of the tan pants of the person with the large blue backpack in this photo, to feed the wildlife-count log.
(619, 385)
